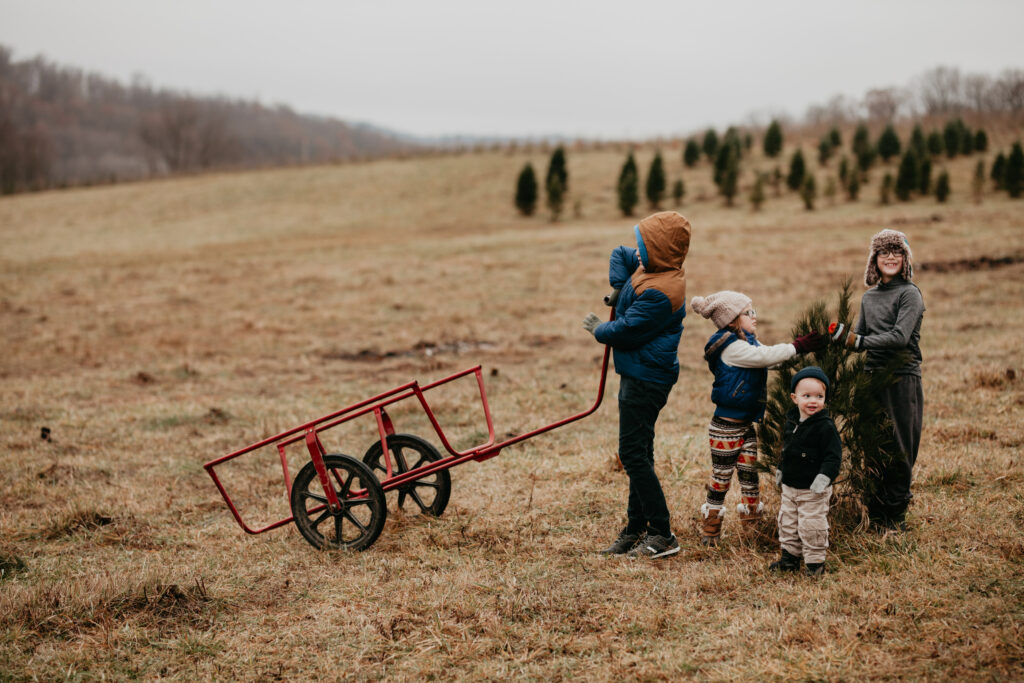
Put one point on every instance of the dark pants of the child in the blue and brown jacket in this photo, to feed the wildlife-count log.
(639, 404)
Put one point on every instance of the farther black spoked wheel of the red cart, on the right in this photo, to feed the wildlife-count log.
(430, 494)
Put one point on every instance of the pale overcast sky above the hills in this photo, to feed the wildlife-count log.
(598, 69)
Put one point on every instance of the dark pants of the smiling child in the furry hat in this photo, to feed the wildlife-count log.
(891, 491)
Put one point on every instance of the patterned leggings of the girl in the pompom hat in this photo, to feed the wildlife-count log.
(734, 447)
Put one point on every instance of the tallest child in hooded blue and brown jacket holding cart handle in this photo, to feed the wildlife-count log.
(645, 338)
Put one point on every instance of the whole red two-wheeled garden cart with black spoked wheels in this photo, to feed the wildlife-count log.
(337, 501)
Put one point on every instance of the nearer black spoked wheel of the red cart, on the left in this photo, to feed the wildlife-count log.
(363, 513)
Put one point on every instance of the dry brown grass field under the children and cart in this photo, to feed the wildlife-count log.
(154, 327)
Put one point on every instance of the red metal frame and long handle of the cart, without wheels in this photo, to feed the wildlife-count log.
(310, 434)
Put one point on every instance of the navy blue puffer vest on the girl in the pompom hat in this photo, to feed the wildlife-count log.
(739, 393)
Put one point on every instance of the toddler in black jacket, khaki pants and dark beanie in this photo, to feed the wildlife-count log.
(813, 453)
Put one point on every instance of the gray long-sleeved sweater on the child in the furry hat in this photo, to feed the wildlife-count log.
(890, 323)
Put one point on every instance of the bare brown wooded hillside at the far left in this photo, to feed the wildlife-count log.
(62, 126)
